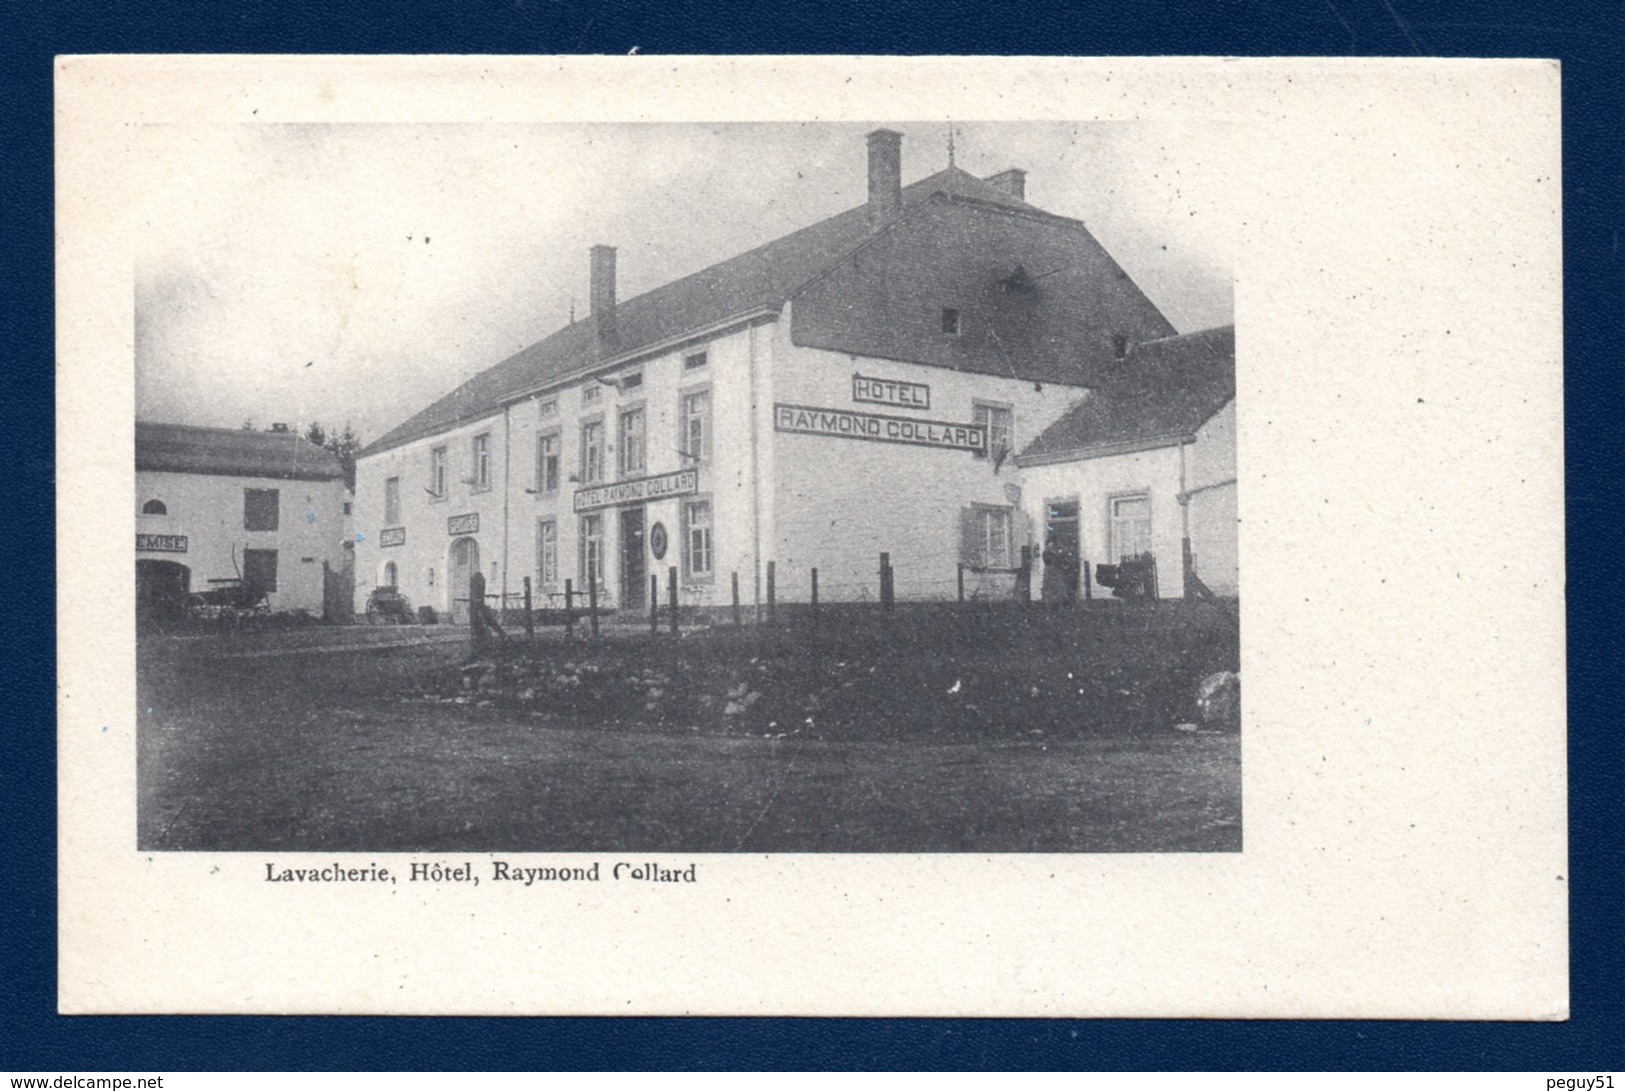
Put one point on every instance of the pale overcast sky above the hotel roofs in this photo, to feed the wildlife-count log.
(358, 272)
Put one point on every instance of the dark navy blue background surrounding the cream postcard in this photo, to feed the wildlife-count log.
(1590, 40)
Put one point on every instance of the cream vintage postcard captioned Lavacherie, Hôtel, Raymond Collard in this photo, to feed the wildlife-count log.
(784, 536)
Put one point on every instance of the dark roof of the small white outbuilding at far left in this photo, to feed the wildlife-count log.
(233, 453)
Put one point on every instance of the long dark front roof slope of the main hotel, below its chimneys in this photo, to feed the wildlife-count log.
(765, 277)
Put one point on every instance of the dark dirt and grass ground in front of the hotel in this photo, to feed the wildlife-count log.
(287, 747)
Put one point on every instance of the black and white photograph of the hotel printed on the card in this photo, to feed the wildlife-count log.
(688, 489)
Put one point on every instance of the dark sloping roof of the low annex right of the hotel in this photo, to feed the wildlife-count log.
(1163, 393)
